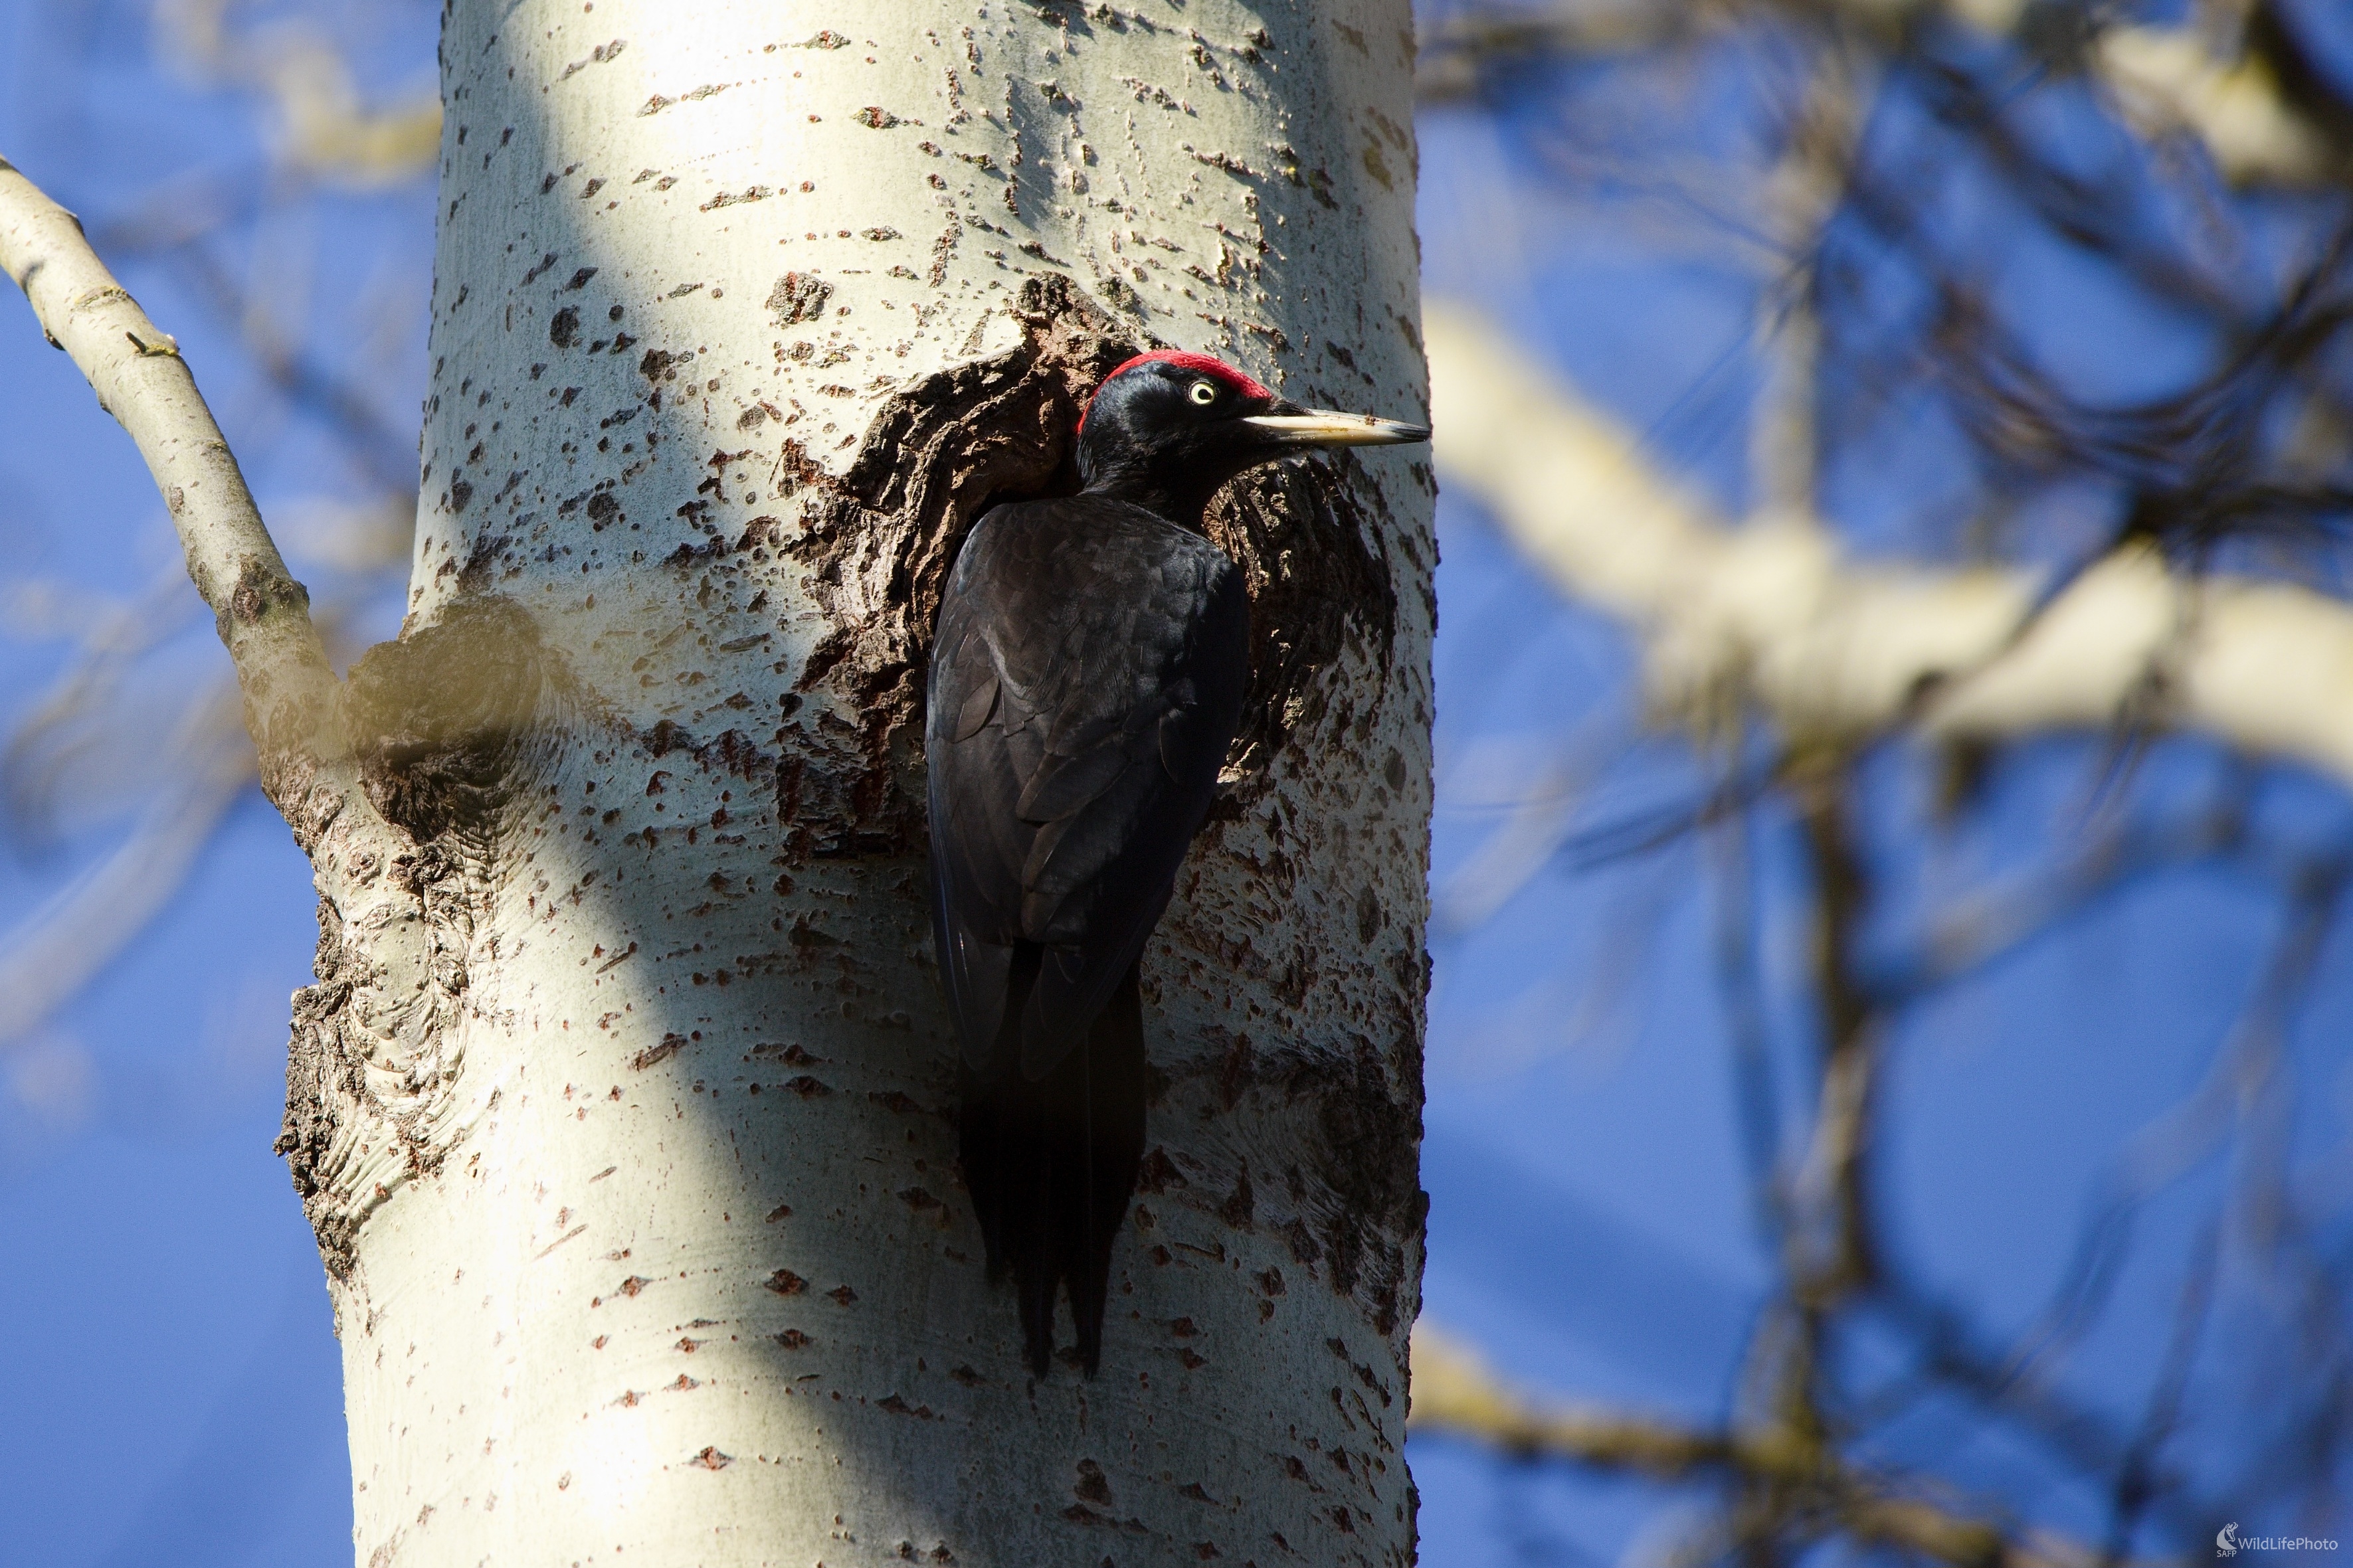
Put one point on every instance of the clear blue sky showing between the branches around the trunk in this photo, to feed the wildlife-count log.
(166, 1339)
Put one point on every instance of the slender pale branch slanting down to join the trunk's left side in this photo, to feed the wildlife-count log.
(142, 380)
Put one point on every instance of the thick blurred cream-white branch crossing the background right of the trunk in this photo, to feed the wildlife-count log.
(1841, 650)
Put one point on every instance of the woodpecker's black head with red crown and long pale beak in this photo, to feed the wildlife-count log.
(1168, 429)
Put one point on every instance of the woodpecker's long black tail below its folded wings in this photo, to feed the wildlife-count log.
(1053, 1162)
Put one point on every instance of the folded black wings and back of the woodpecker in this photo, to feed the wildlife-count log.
(1086, 683)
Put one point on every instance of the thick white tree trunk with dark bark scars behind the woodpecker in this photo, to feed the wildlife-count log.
(622, 1106)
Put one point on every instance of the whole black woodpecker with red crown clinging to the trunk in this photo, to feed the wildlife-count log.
(1088, 676)
